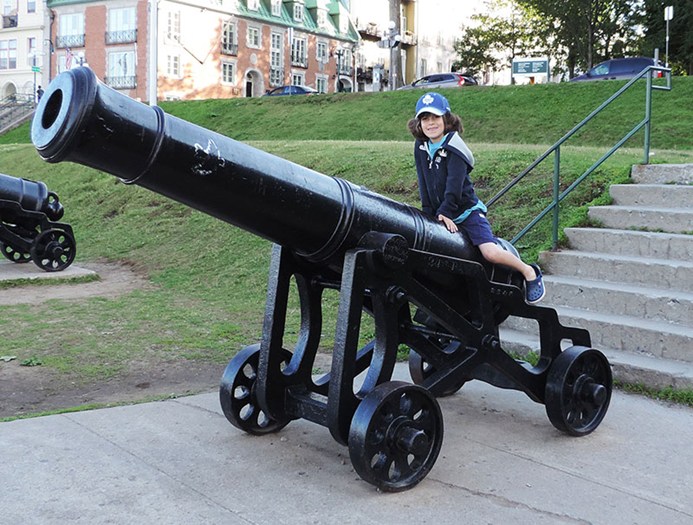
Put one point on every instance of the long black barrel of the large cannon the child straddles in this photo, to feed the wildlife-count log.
(82, 120)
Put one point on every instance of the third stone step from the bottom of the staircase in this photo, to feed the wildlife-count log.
(654, 304)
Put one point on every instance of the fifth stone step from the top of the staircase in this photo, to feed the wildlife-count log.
(655, 273)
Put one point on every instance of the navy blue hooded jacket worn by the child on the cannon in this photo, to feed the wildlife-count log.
(444, 184)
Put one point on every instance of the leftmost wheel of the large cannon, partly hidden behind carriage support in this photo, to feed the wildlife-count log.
(238, 397)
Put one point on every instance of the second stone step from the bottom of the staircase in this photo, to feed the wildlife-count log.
(623, 333)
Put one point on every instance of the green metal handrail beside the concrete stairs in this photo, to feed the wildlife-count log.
(558, 196)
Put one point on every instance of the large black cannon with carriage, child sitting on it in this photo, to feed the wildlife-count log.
(426, 290)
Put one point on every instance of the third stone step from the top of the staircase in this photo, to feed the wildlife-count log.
(674, 220)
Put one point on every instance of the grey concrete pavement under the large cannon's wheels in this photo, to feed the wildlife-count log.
(180, 462)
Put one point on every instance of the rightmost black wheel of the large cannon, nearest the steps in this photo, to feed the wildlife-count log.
(578, 390)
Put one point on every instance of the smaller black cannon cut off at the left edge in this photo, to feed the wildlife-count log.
(28, 231)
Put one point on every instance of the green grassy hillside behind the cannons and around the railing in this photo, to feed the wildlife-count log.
(209, 277)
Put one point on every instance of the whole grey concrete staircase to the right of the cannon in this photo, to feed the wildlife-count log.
(630, 282)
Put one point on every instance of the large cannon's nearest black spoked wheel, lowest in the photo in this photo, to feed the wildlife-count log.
(395, 435)
